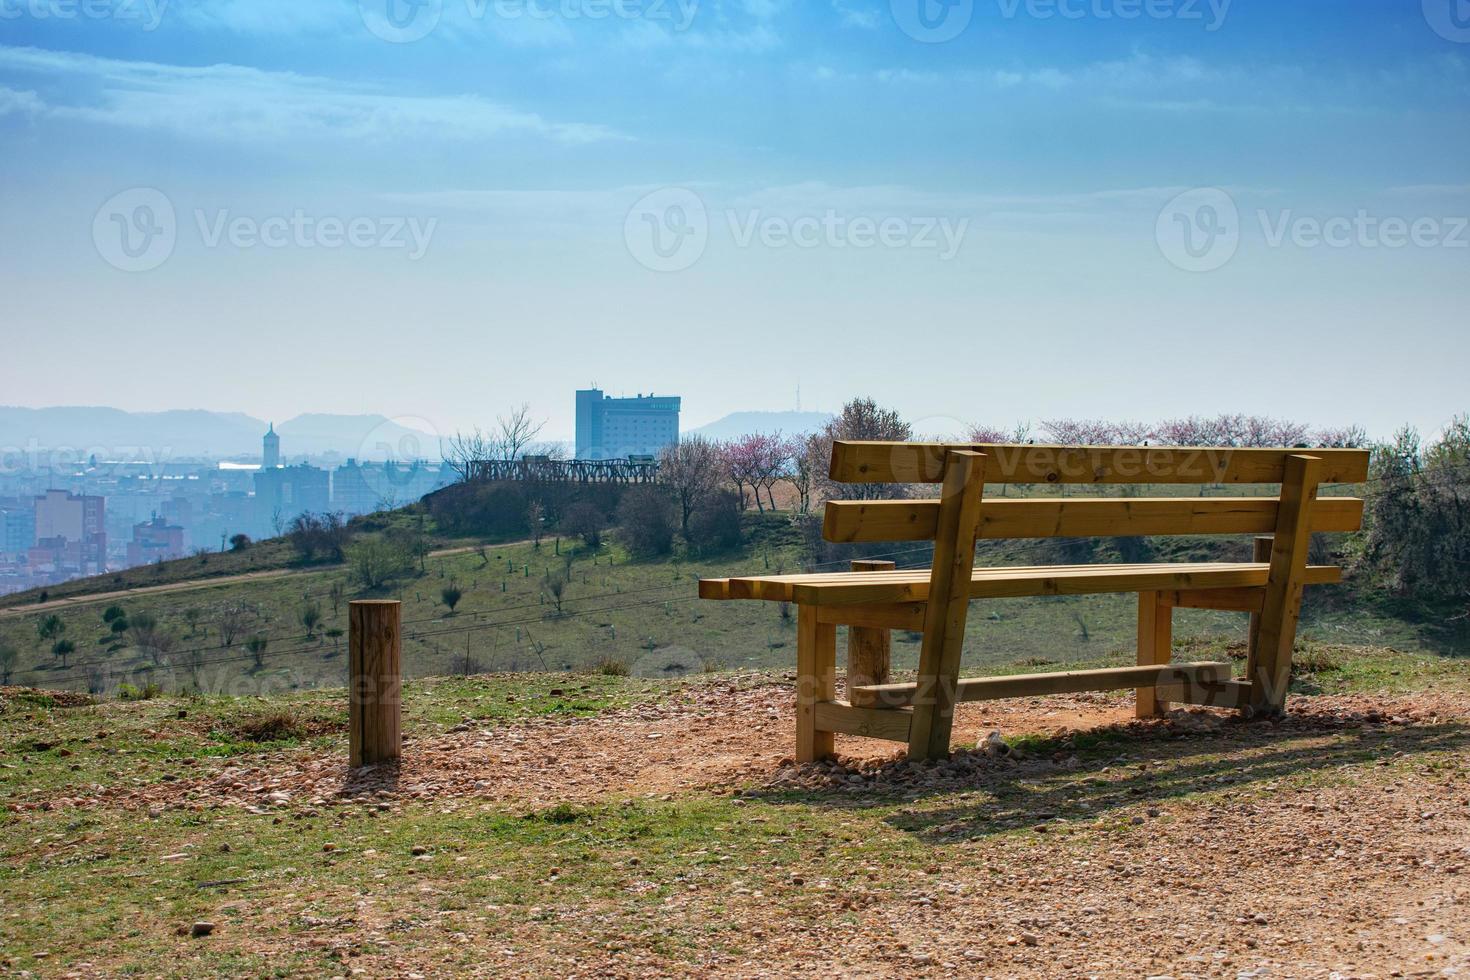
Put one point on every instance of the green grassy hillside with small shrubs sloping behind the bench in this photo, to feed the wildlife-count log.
(625, 615)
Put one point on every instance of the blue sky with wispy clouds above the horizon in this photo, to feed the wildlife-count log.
(978, 211)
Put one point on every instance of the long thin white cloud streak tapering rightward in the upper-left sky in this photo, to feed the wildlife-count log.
(230, 102)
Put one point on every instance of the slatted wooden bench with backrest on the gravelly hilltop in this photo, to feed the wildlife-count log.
(875, 597)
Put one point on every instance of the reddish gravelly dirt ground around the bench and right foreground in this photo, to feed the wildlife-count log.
(1205, 849)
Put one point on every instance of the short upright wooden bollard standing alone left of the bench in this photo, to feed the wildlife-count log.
(376, 690)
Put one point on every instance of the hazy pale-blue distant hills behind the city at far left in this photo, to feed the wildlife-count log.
(183, 434)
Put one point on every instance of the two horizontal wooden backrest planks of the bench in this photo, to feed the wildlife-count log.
(864, 521)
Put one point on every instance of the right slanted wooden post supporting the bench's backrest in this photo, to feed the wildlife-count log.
(1286, 584)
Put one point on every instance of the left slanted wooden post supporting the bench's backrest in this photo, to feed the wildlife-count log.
(949, 605)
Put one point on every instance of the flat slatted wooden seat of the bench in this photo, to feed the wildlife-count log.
(881, 588)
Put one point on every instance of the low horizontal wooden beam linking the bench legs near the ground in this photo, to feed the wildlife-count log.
(1174, 677)
